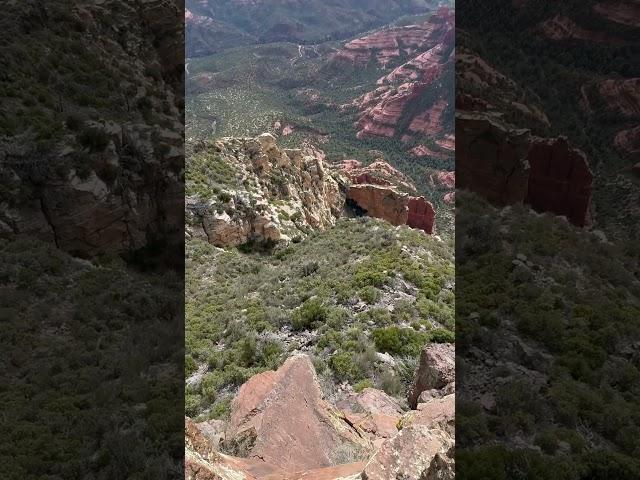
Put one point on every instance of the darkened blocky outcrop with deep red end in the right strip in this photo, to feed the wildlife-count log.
(507, 165)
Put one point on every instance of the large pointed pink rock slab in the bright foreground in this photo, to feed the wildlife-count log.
(282, 418)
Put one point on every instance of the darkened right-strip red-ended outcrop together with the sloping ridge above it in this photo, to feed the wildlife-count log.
(508, 165)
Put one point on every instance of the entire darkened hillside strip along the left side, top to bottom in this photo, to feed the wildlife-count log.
(91, 139)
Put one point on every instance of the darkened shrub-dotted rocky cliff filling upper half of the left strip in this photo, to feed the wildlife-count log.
(88, 133)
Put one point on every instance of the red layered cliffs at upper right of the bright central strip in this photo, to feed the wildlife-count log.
(390, 110)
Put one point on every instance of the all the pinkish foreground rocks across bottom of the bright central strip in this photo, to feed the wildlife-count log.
(282, 429)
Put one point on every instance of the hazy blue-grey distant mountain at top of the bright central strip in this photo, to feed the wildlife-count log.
(214, 25)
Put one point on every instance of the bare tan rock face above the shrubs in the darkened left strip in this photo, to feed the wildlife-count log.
(95, 214)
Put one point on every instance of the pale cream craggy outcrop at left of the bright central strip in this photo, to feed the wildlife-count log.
(267, 194)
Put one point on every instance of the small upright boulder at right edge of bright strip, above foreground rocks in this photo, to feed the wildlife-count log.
(436, 371)
